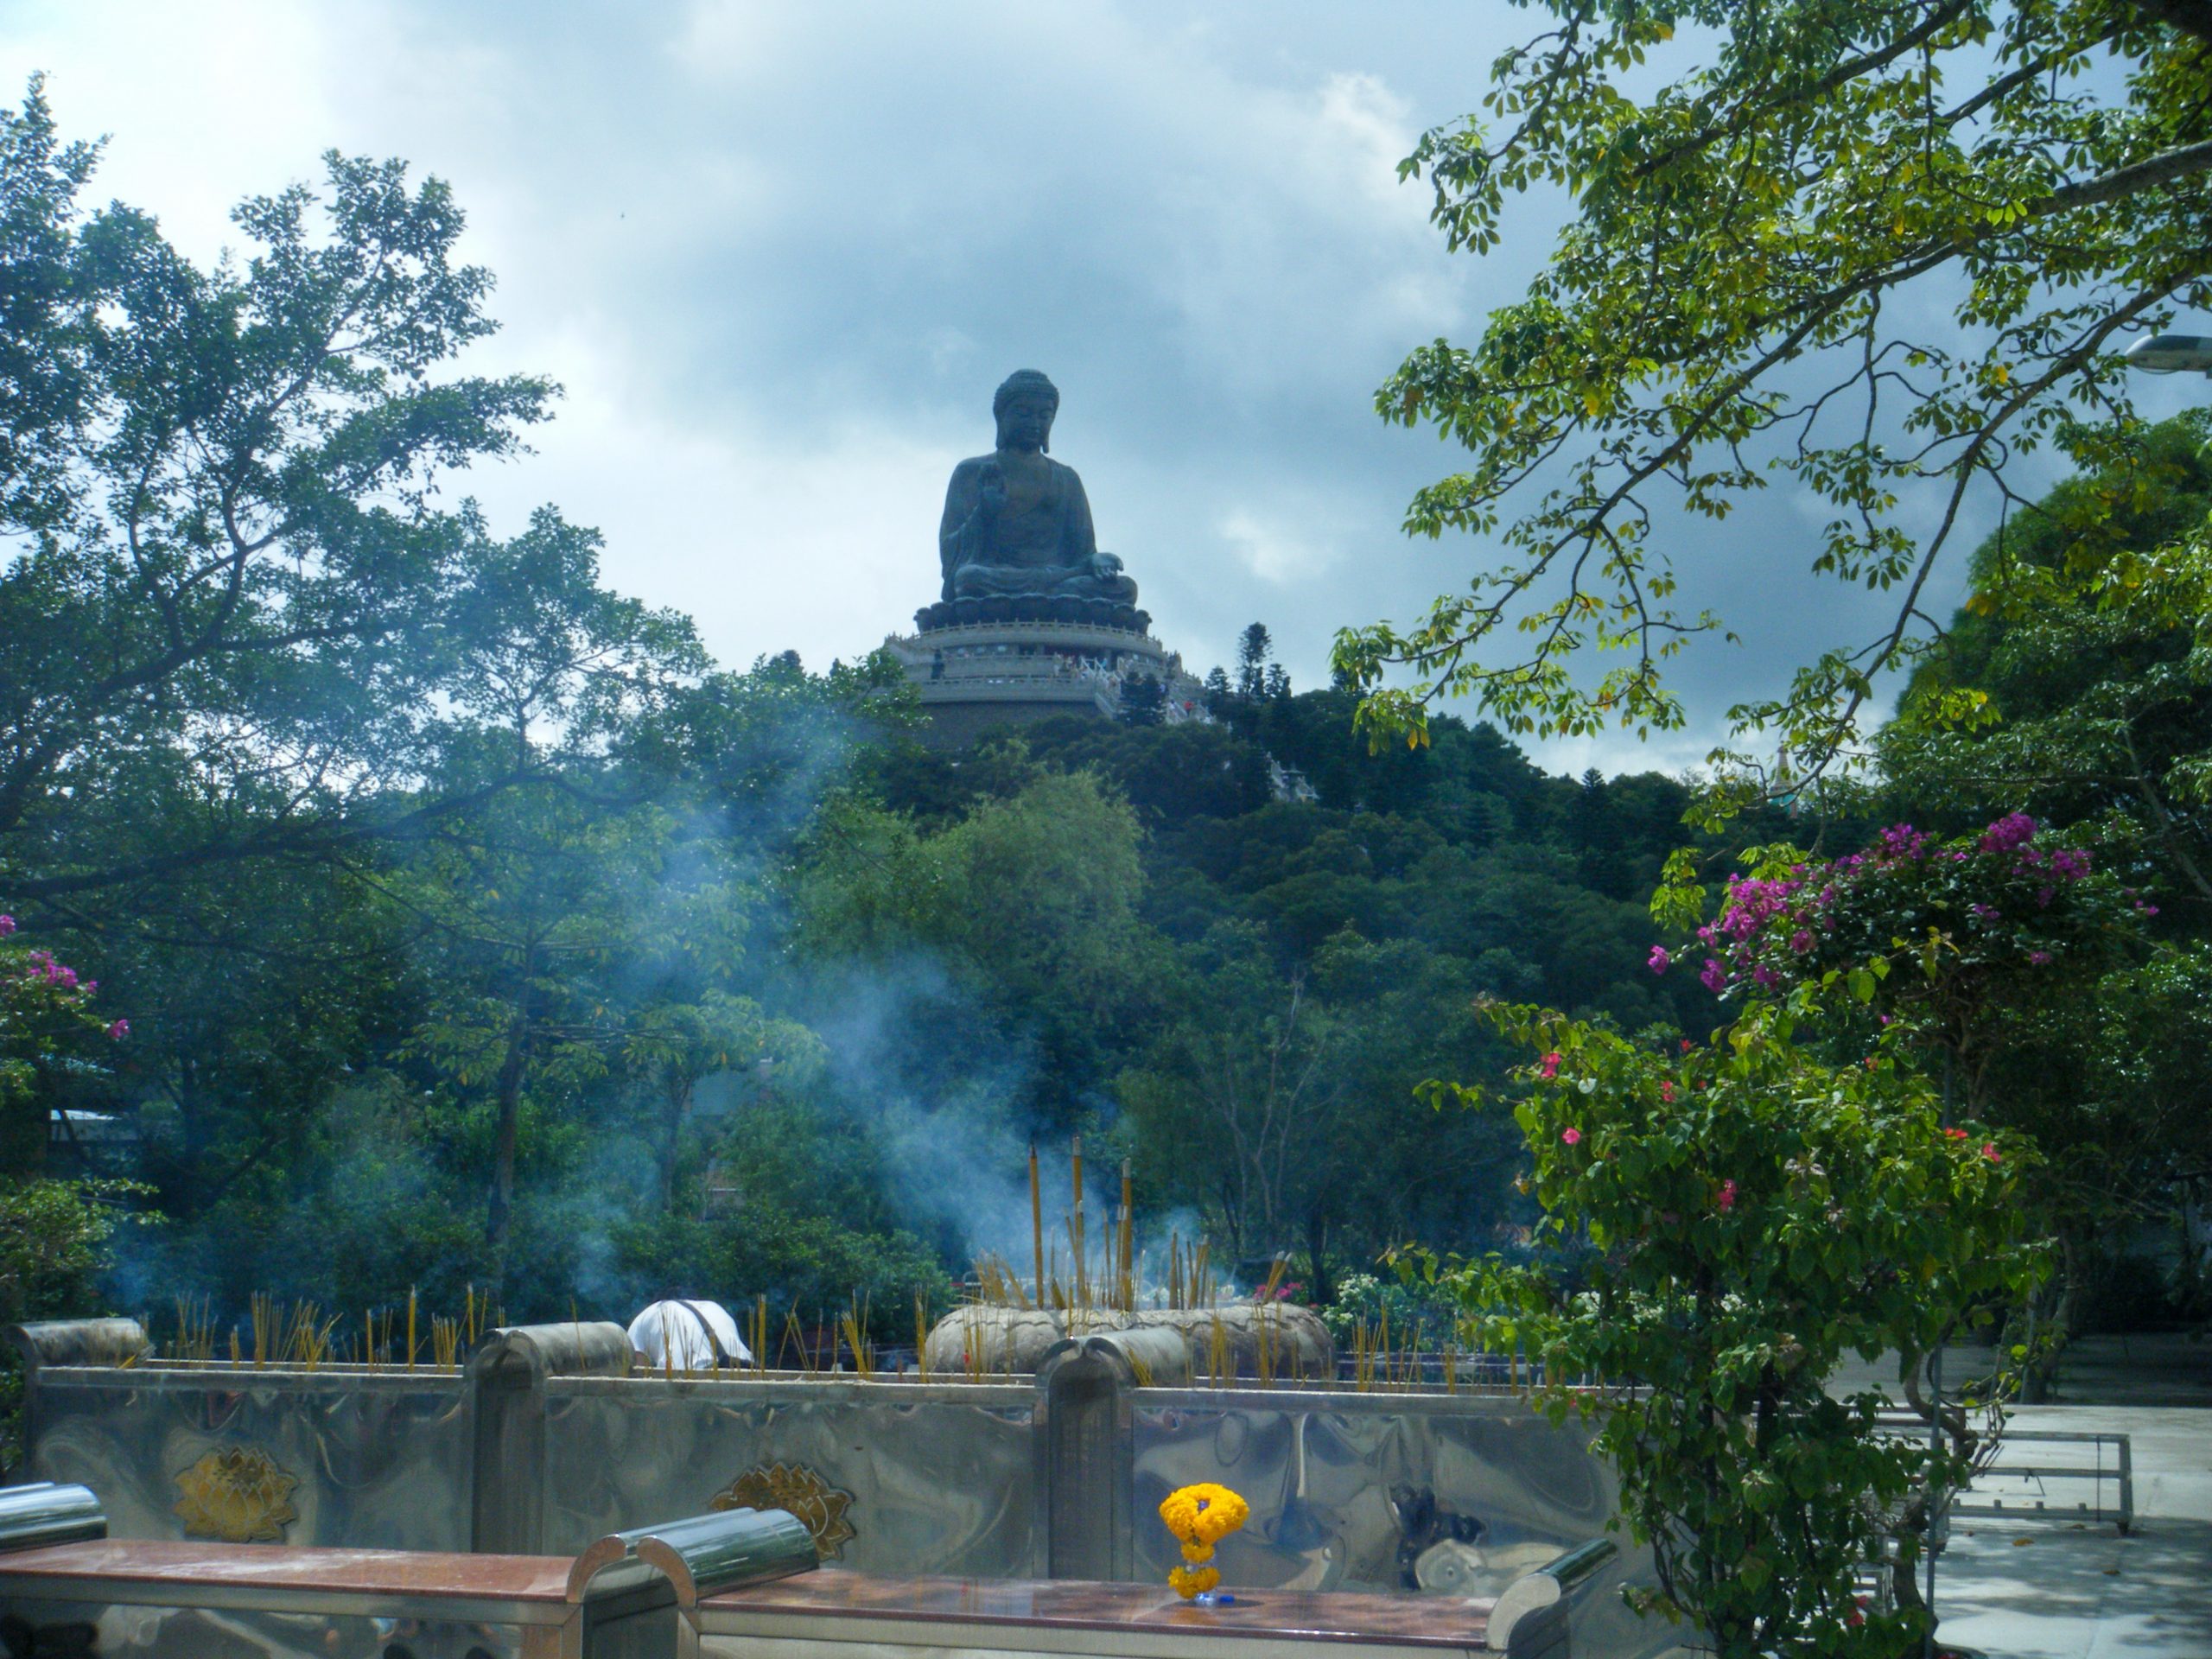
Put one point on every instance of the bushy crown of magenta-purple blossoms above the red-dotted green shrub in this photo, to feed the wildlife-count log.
(1972, 915)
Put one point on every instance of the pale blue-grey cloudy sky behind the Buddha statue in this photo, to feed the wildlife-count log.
(780, 255)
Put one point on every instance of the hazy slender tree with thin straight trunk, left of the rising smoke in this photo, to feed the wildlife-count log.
(525, 884)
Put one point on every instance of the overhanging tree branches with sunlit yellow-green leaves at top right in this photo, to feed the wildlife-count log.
(1742, 293)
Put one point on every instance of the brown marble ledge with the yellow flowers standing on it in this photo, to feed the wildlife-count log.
(1081, 1605)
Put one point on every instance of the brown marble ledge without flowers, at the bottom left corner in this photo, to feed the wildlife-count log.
(271, 1567)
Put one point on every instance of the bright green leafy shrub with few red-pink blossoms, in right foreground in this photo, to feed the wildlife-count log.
(1751, 1218)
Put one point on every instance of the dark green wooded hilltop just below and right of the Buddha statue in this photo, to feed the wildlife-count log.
(1465, 846)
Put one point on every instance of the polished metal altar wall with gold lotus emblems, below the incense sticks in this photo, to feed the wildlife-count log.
(550, 1443)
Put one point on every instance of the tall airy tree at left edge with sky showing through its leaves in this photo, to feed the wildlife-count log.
(231, 556)
